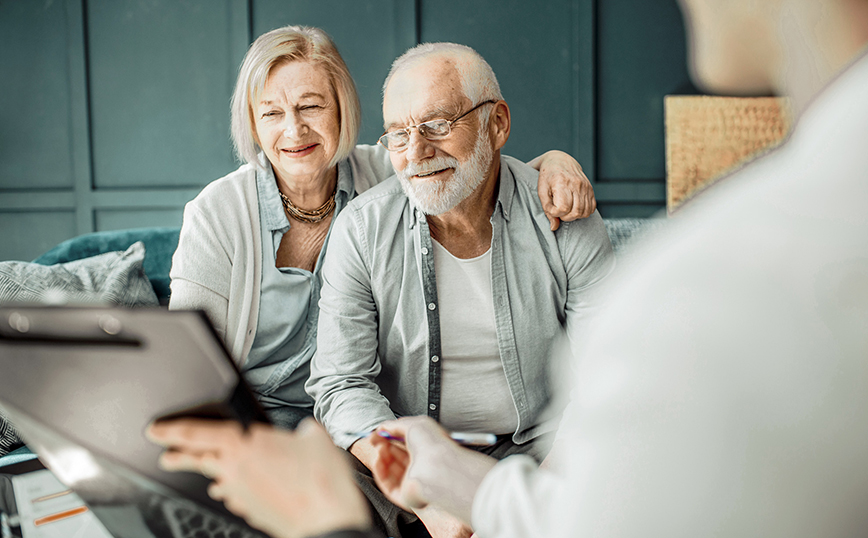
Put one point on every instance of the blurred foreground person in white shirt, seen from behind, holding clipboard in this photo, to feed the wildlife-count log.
(725, 389)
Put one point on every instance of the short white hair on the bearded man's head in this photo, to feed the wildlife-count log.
(477, 77)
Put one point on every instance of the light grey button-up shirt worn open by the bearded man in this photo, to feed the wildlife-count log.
(378, 345)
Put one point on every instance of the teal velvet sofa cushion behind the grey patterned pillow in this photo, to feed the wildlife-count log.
(160, 245)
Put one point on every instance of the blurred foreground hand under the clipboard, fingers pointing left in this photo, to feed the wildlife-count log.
(288, 484)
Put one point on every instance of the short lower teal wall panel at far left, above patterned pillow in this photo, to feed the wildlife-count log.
(27, 235)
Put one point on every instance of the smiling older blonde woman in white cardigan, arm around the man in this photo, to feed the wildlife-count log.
(252, 242)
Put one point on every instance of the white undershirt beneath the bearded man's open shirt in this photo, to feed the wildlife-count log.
(474, 395)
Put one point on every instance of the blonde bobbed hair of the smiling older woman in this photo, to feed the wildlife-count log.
(275, 48)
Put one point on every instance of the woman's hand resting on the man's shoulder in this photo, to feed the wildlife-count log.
(564, 189)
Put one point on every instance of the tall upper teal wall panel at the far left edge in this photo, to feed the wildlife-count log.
(35, 144)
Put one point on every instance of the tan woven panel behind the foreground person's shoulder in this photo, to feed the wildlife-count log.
(708, 136)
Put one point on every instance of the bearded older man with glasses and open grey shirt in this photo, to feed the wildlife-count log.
(444, 289)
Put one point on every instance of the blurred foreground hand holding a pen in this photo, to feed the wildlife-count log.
(428, 469)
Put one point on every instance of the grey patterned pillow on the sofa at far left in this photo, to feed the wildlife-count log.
(110, 278)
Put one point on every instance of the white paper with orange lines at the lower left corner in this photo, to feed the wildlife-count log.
(48, 509)
